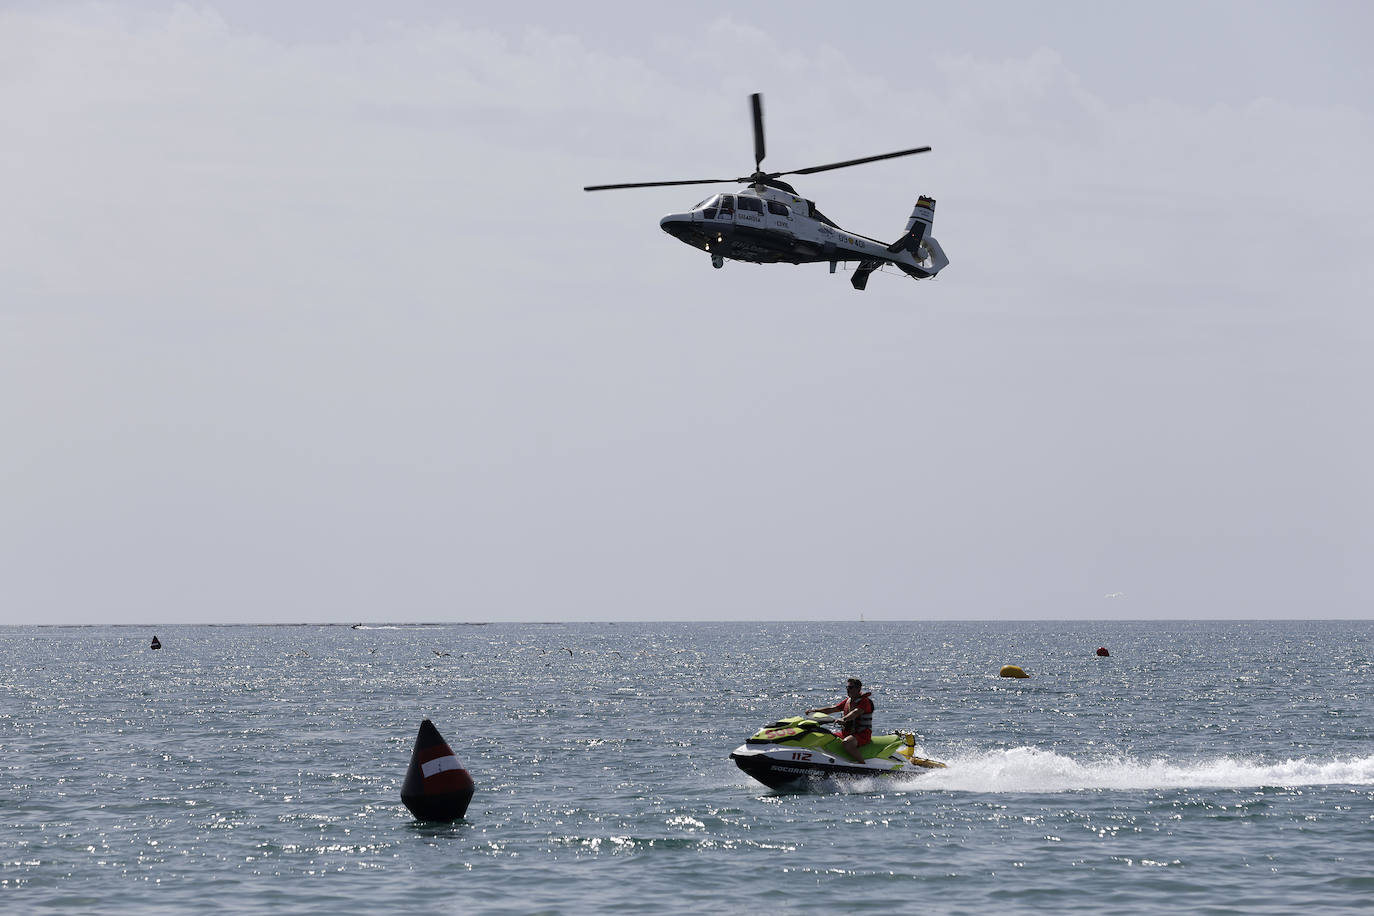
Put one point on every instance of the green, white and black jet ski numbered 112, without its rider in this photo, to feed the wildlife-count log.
(799, 753)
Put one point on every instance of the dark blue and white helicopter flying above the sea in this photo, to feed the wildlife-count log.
(769, 223)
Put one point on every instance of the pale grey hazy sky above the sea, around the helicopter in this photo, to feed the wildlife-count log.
(304, 314)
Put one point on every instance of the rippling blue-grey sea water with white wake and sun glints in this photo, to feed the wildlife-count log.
(1203, 767)
